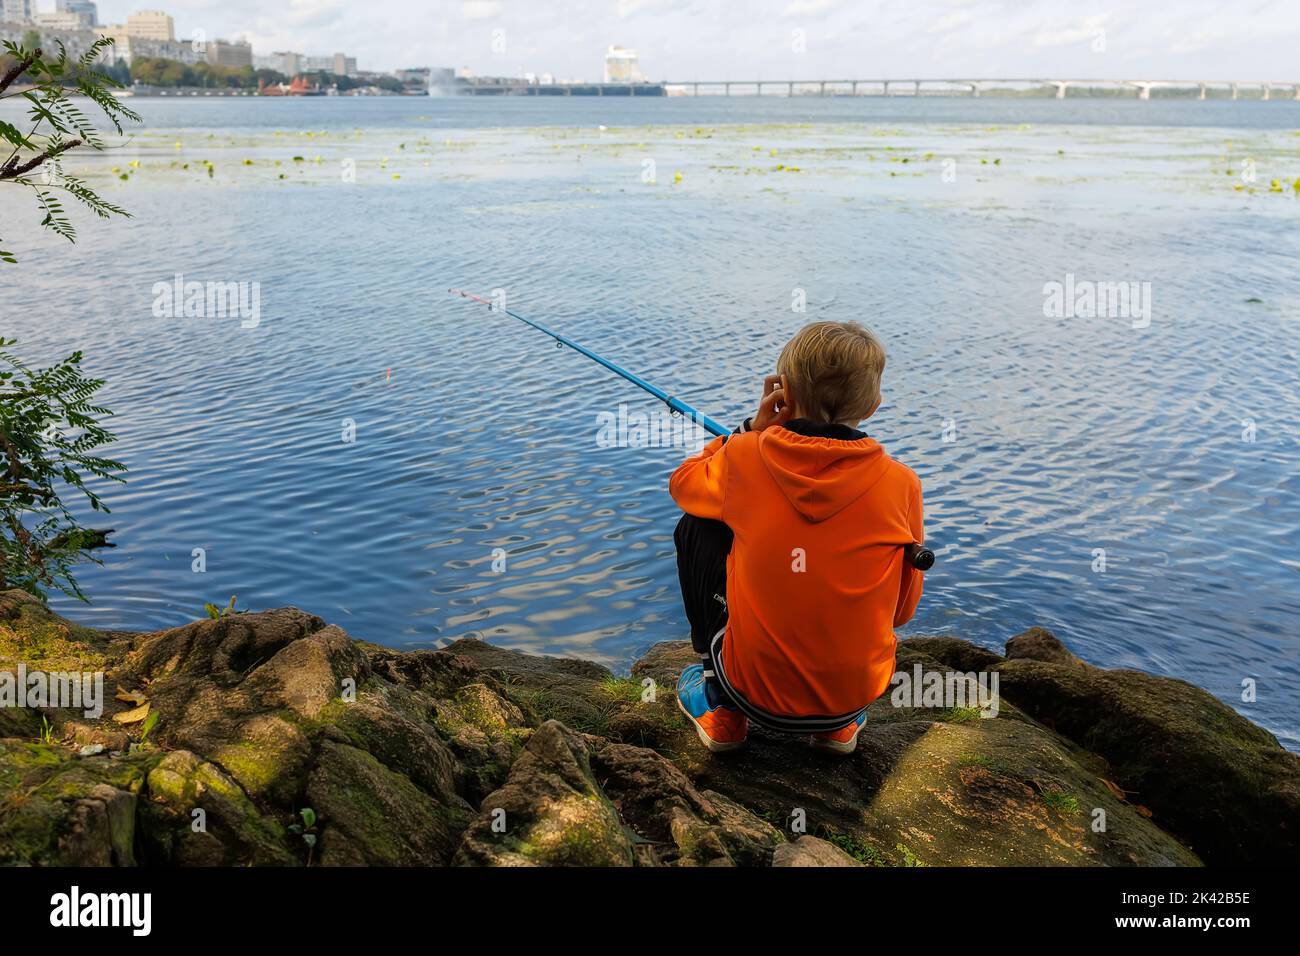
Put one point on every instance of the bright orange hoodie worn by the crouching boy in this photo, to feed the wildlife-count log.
(816, 578)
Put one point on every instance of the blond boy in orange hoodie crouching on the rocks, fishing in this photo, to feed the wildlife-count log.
(791, 552)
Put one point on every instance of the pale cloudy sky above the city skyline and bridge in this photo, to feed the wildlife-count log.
(772, 40)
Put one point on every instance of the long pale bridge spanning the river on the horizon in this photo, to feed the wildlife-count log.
(1142, 89)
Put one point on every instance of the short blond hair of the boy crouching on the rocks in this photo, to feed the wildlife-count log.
(834, 371)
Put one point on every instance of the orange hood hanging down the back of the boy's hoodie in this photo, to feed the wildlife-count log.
(821, 477)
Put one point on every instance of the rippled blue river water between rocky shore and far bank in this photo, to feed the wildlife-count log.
(1039, 440)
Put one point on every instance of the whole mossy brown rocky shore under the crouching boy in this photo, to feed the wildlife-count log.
(262, 717)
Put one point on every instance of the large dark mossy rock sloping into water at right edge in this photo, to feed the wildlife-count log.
(1208, 775)
